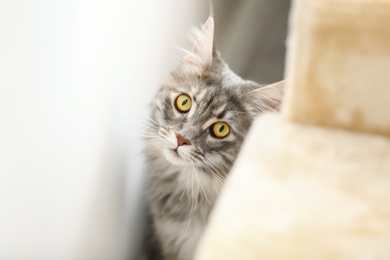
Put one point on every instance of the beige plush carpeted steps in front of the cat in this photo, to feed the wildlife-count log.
(314, 181)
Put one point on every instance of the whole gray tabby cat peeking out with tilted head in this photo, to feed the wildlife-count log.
(200, 117)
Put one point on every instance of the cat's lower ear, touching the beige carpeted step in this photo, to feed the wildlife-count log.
(267, 98)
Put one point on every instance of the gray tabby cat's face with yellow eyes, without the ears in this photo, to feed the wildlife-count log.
(200, 123)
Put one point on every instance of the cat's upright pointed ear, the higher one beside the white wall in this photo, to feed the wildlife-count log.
(201, 54)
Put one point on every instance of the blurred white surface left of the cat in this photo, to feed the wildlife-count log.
(75, 79)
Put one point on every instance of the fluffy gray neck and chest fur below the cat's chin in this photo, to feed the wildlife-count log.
(180, 203)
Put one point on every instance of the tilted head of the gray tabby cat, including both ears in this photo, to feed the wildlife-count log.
(203, 110)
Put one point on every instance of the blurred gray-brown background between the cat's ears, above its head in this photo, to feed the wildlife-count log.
(251, 36)
